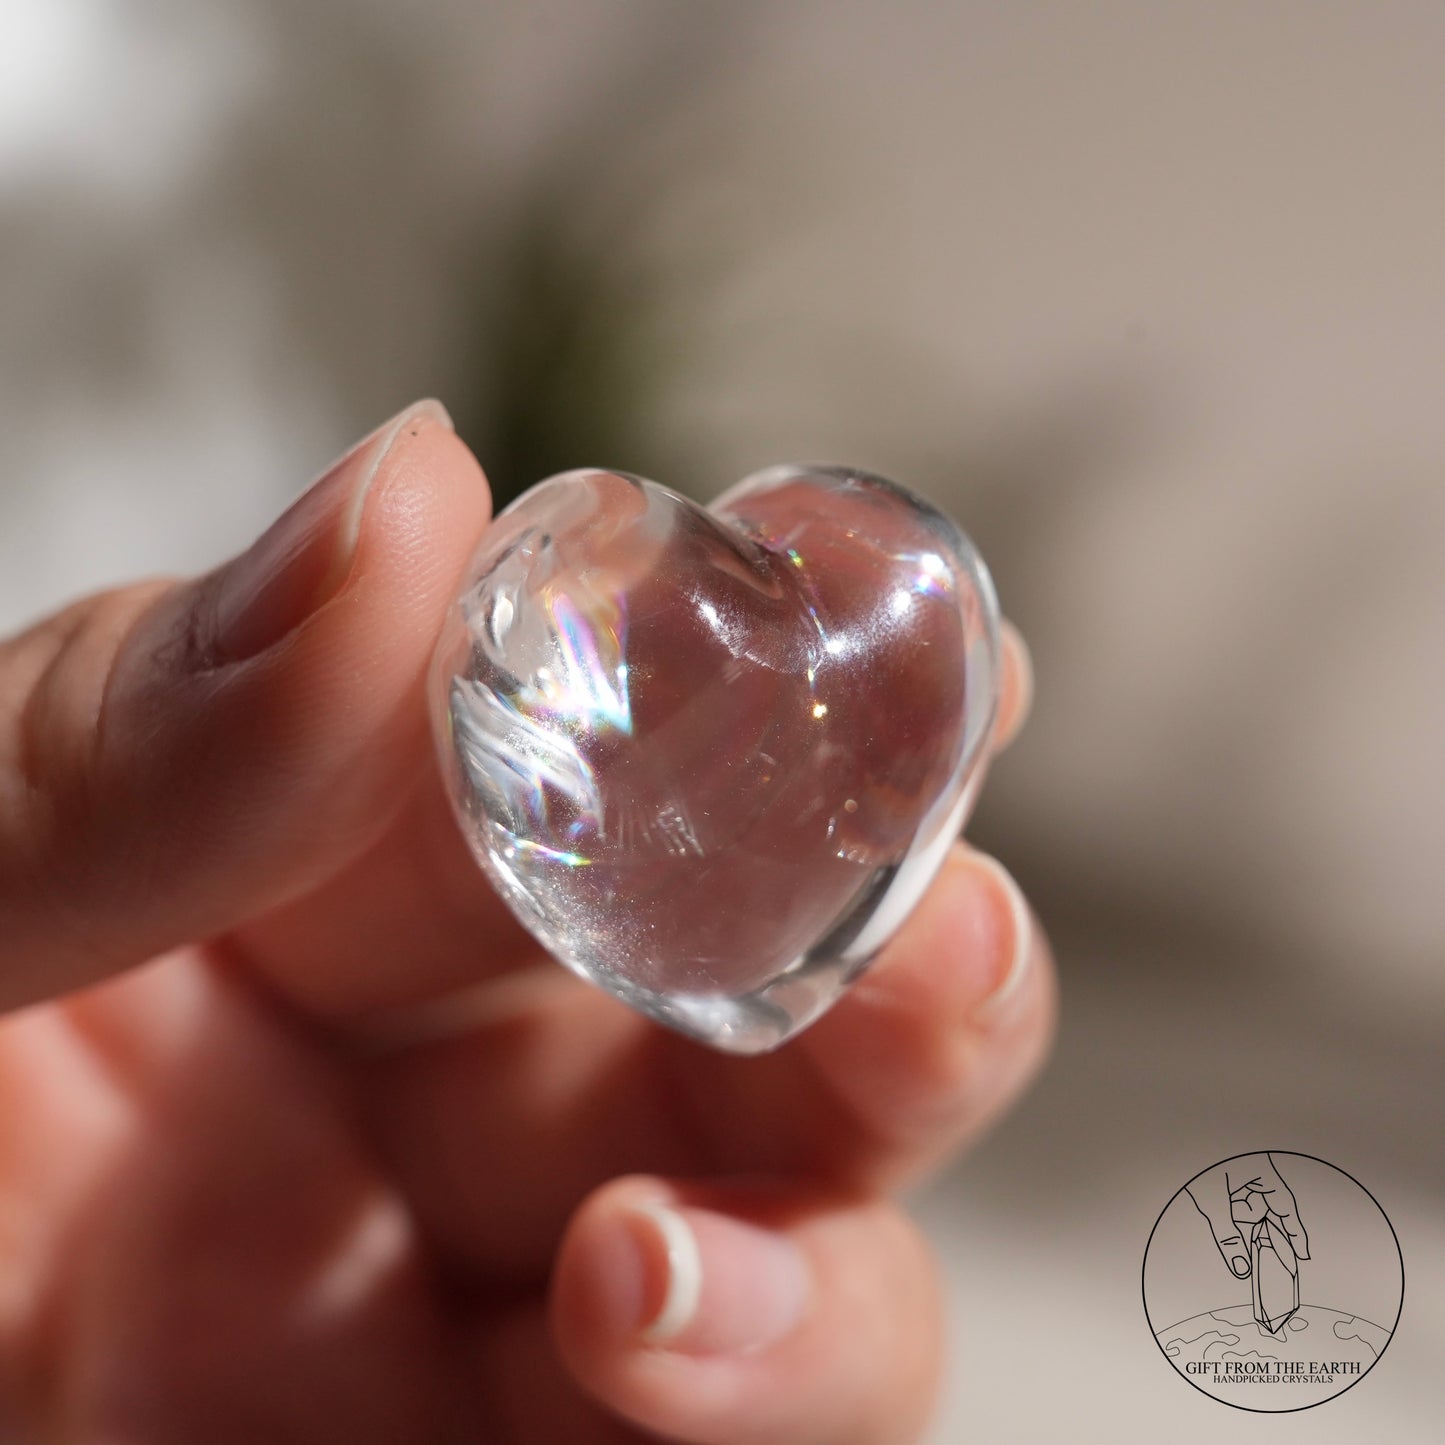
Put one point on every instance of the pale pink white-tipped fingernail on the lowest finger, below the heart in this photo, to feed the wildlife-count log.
(712, 1284)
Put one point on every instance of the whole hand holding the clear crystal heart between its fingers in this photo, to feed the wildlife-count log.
(324, 1151)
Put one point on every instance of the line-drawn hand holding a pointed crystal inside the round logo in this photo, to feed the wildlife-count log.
(1255, 1222)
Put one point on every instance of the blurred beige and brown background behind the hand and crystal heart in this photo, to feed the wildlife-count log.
(1152, 298)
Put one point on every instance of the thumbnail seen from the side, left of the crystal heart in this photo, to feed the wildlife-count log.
(306, 554)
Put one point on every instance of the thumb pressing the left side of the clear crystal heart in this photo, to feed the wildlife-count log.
(176, 756)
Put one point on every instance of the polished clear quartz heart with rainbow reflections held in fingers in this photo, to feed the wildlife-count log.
(712, 758)
